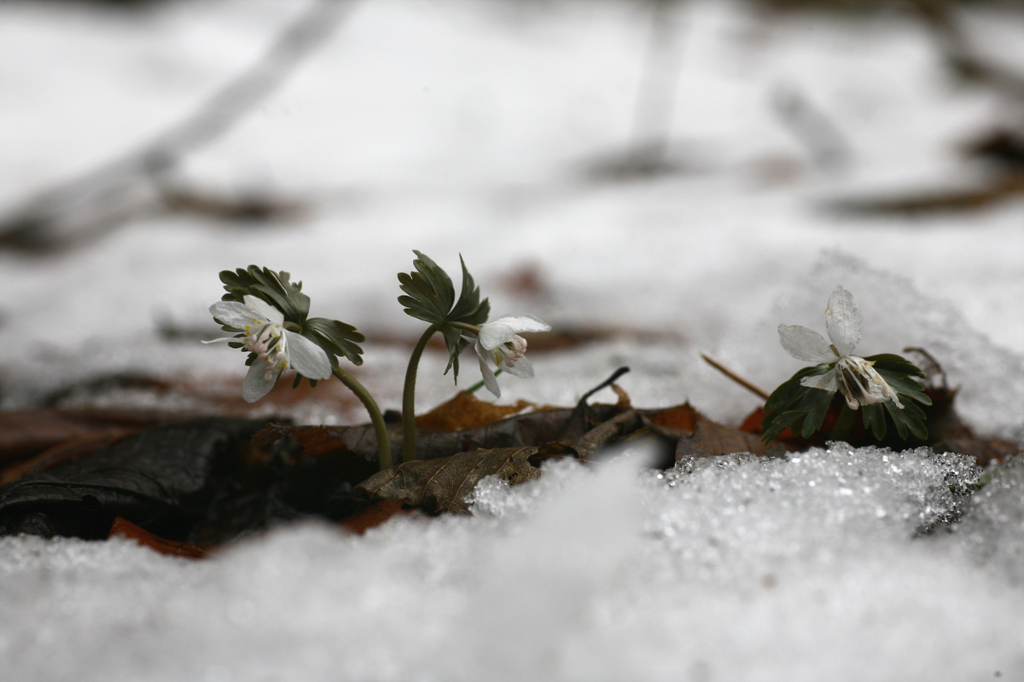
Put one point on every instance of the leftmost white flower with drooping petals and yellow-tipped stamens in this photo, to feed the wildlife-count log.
(277, 349)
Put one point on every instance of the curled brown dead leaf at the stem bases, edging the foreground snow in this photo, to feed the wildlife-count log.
(444, 485)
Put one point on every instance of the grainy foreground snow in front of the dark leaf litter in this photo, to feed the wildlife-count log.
(812, 568)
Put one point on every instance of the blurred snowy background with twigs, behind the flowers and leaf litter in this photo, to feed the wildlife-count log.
(656, 179)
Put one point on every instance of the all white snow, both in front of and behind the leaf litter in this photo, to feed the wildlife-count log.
(457, 126)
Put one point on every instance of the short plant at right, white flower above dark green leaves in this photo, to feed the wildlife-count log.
(877, 386)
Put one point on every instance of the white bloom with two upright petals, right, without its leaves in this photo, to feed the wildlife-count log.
(854, 377)
